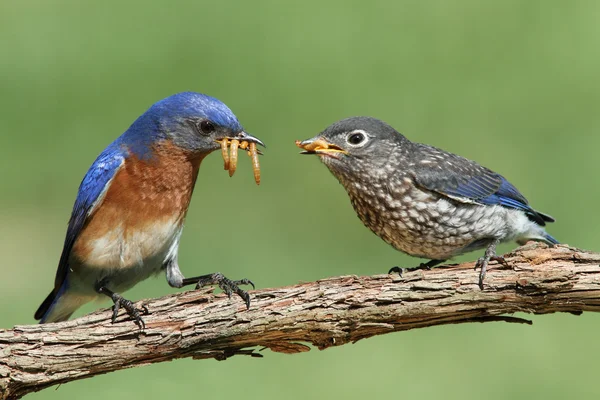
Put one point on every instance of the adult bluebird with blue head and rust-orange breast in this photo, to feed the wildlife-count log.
(128, 216)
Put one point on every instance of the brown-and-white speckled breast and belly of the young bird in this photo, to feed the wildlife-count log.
(421, 223)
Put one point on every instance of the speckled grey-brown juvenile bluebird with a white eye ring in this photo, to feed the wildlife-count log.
(424, 201)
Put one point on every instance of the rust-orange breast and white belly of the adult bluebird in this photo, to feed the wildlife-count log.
(142, 210)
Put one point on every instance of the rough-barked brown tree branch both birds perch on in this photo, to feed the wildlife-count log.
(329, 312)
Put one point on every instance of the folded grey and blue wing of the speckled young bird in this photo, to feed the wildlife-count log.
(464, 180)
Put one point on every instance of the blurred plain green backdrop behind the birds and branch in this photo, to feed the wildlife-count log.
(512, 84)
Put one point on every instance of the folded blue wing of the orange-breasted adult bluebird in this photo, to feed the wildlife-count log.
(91, 190)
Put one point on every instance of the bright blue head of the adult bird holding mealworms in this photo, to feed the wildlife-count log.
(192, 121)
